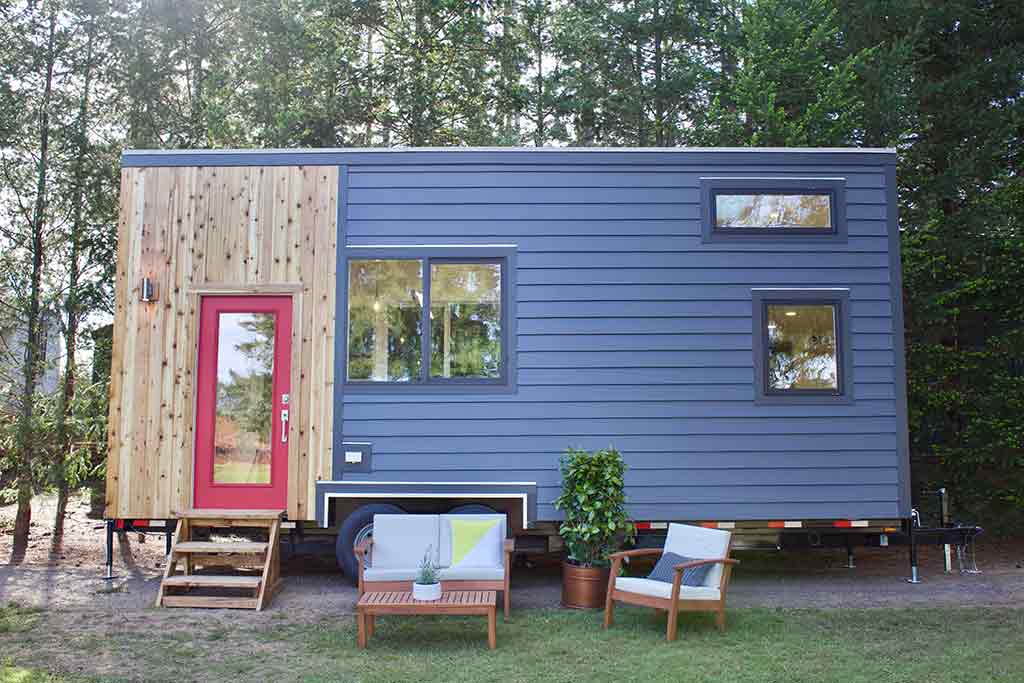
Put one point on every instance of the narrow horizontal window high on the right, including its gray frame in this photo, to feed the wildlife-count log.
(770, 209)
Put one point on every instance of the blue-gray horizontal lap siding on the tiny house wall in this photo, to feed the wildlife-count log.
(632, 331)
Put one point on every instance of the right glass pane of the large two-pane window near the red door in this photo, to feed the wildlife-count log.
(466, 321)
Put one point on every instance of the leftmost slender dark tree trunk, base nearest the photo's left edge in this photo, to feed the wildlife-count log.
(26, 446)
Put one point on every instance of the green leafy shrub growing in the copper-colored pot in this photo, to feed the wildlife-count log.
(593, 500)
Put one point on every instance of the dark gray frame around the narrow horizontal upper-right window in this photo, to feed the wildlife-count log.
(835, 189)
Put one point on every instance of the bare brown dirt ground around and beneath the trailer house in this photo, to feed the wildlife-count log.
(67, 582)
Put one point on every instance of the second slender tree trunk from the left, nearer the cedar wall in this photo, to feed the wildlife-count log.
(71, 303)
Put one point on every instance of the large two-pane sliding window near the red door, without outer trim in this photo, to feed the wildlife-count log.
(430, 321)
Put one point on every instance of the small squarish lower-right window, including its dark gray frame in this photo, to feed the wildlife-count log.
(801, 350)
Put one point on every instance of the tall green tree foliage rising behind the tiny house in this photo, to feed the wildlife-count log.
(940, 80)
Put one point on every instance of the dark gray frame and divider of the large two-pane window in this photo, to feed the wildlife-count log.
(503, 255)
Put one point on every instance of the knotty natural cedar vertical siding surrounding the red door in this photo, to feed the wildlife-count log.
(196, 229)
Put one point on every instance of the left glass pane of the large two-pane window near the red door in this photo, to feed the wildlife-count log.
(386, 309)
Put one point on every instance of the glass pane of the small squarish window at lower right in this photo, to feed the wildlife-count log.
(802, 348)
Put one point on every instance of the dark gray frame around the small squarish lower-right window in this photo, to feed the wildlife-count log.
(840, 301)
